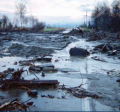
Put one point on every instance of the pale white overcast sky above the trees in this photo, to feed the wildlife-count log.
(53, 11)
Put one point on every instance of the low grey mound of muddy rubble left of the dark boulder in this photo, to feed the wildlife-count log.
(20, 50)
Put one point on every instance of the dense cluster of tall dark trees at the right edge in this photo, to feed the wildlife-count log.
(106, 18)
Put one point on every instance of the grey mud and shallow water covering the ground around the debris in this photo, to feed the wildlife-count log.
(97, 76)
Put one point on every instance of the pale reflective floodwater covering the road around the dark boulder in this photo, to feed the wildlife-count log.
(72, 71)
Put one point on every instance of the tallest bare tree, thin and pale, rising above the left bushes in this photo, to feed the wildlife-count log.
(20, 11)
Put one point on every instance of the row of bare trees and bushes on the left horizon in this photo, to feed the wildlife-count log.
(21, 21)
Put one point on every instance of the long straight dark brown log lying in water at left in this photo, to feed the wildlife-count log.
(22, 82)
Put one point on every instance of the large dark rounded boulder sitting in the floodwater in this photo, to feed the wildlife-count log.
(78, 52)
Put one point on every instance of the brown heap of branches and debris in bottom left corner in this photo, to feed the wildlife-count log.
(14, 105)
